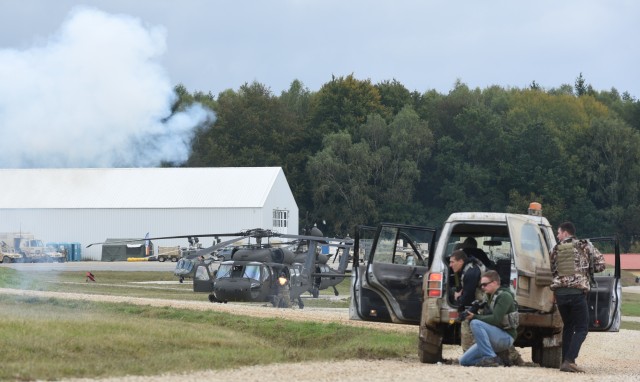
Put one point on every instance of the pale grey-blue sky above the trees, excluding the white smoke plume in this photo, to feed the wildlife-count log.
(215, 45)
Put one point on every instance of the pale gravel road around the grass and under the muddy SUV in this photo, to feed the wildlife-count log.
(604, 356)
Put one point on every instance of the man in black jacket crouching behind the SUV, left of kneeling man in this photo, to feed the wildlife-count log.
(467, 279)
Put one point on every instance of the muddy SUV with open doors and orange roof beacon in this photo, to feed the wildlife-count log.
(385, 289)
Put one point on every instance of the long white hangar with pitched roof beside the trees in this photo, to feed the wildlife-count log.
(89, 205)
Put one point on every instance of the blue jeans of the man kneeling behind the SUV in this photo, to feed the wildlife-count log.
(489, 341)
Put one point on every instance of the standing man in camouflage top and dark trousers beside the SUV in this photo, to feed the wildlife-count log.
(573, 262)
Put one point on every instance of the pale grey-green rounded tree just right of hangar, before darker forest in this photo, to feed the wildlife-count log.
(371, 176)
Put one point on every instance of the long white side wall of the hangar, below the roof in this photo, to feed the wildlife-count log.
(96, 225)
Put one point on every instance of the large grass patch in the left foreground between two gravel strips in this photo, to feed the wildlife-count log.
(53, 339)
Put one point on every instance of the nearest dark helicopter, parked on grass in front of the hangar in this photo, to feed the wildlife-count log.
(273, 272)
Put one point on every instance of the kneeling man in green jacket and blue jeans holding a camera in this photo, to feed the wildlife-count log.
(495, 329)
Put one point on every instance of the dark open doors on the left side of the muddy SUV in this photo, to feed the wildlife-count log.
(388, 286)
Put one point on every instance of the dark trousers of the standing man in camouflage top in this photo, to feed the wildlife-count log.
(575, 317)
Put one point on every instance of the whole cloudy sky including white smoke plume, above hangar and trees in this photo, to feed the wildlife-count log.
(89, 83)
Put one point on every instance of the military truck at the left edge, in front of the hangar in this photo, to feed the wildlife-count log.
(24, 247)
